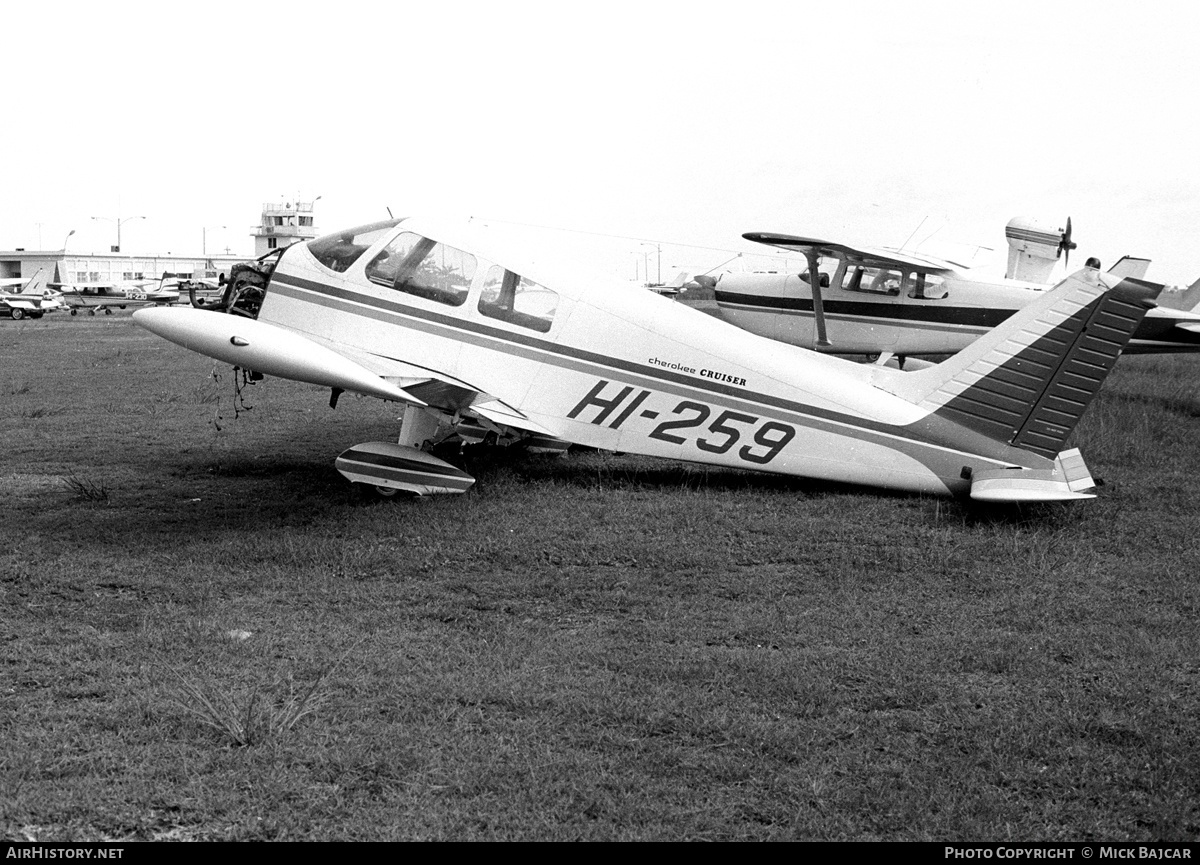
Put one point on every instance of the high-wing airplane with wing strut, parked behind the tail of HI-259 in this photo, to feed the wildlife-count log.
(897, 304)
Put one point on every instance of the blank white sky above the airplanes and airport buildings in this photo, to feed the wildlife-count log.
(671, 122)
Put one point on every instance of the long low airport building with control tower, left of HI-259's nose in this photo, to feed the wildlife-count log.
(281, 225)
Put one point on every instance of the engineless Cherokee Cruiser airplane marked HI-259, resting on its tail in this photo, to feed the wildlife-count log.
(478, 340)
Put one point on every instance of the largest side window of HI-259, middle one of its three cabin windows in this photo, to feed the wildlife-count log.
(425, 268)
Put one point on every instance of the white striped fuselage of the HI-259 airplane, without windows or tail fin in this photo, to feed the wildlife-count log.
(626, 370)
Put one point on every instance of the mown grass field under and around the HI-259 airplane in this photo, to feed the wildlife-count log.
(206, 635)
